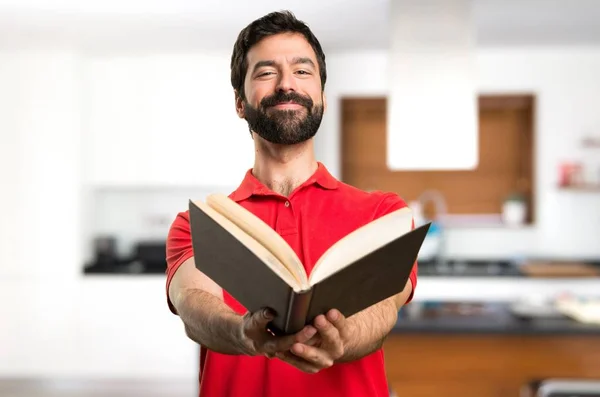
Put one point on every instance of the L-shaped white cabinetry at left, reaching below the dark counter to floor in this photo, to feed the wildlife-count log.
(53, 321)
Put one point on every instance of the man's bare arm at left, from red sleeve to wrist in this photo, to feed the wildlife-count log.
(207, 319)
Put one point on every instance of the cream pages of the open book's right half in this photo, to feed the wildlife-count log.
(361, 242)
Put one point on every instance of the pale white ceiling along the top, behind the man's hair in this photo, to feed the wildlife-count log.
(339, 24)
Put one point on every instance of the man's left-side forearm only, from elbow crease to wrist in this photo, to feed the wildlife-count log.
(210, 322)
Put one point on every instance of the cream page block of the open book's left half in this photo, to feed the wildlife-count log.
(257, 248)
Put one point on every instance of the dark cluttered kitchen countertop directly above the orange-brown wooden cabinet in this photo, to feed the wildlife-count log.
(488, 318)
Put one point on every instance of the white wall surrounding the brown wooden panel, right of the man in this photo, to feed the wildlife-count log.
(567, 88)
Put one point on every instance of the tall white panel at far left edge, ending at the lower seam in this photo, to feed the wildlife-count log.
(40, 164)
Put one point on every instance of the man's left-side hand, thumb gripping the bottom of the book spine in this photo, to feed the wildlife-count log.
(257, 340)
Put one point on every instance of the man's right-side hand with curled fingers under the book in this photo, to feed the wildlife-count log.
(323, 349)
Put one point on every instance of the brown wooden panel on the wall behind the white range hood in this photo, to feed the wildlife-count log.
(506, 156)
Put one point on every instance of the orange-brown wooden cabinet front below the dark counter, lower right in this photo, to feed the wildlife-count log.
(480, 365)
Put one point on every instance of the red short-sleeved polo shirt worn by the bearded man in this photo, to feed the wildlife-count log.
(315, 216)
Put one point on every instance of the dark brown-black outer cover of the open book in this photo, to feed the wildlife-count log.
(229, 263)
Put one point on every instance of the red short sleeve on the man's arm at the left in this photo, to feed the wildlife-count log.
(179, 248)
